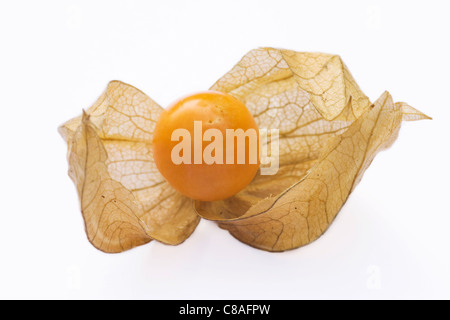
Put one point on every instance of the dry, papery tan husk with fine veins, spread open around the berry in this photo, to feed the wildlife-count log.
(329, 133)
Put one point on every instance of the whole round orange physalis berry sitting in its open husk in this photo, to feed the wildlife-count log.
(196, 154)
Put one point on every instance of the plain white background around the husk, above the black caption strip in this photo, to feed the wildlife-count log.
(391, 240)
